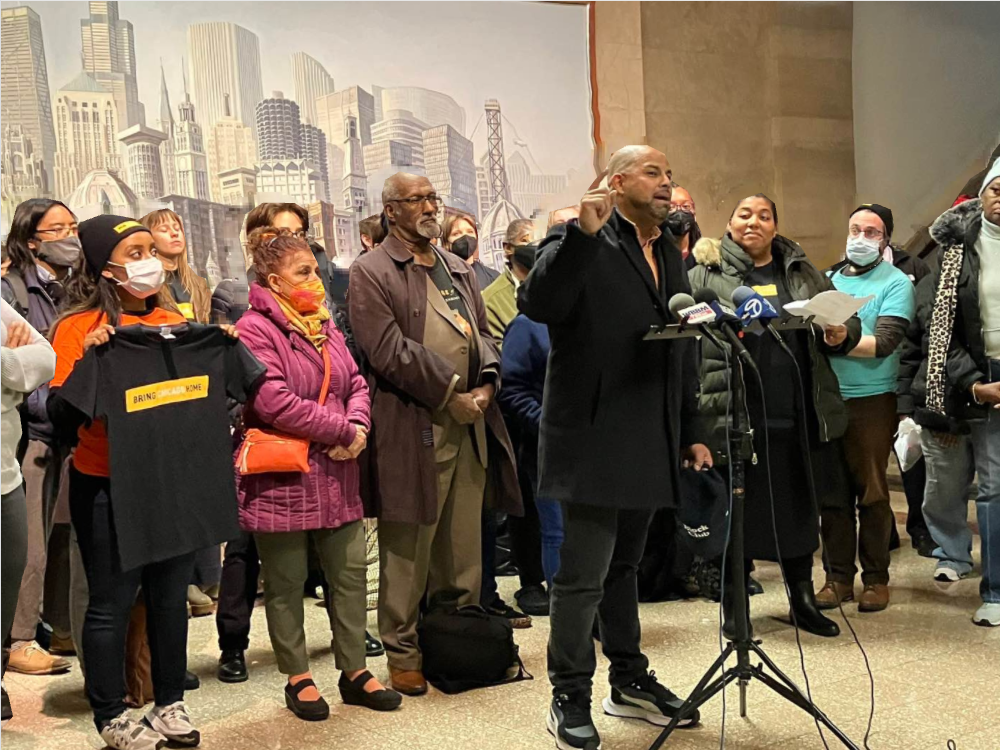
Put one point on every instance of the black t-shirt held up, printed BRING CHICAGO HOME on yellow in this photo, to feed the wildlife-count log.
(163, 401)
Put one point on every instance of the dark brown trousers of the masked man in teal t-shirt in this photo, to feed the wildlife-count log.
(865, 532)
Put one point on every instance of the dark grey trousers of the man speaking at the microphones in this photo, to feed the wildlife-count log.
(600, 558)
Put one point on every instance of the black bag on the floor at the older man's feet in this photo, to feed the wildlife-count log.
(466, 648)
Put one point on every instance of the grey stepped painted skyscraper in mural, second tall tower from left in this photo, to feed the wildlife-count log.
(109, 57)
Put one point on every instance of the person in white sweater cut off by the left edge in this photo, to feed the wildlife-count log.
(28, 361)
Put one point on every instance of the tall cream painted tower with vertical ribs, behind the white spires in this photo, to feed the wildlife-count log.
(224, 58)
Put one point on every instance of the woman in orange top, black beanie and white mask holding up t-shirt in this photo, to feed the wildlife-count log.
(118, 283)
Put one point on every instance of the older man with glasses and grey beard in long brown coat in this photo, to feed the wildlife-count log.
(421, 324)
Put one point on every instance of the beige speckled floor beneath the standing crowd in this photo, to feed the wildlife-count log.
(937, 678)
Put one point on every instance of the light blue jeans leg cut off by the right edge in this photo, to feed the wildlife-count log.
(986, 448)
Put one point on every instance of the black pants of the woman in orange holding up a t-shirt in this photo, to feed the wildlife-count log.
(112, 594)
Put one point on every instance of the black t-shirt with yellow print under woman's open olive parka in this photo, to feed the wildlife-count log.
(780, 392)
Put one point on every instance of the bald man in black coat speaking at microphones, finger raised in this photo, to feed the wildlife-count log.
(615, 426)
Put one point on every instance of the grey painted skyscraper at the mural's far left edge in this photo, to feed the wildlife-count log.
(24, 79)
